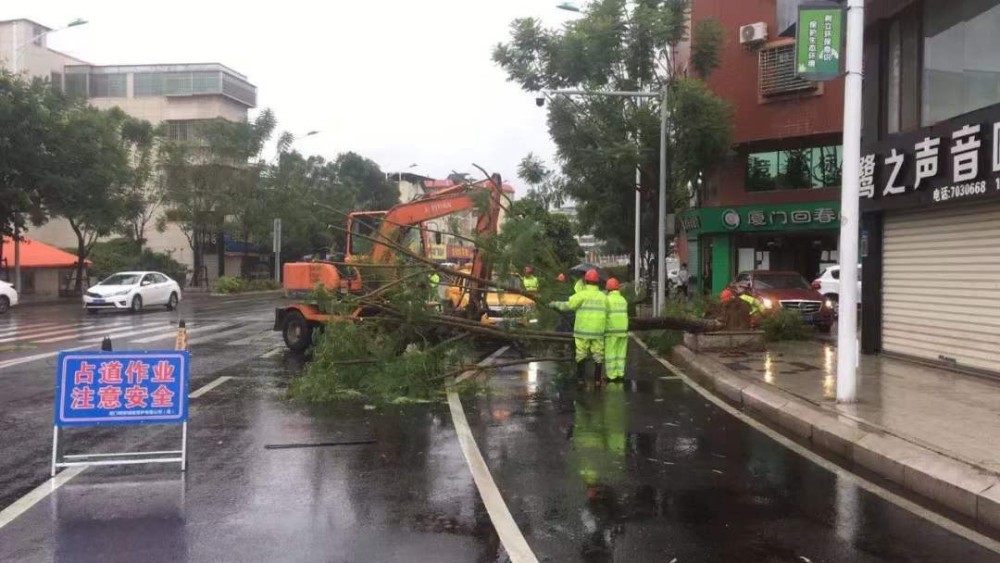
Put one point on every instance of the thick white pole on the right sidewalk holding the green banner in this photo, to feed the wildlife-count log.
(850, 219)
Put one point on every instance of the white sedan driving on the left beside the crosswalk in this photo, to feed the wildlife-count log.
(132, 291)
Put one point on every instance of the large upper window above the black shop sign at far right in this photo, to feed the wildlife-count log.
(961, 68)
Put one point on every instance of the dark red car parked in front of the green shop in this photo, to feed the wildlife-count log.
(789, 290)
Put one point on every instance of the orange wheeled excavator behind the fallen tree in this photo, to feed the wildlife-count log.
(372, 239)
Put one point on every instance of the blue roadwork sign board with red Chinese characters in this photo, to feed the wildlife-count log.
(97, 388)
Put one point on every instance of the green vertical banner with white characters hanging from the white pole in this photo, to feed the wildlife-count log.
(819, 42)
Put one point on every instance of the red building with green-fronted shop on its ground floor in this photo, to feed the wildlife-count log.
(774, 203)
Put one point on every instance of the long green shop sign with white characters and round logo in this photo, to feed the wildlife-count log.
(762, 218)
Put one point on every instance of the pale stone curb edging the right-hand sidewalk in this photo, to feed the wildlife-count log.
(964, 488)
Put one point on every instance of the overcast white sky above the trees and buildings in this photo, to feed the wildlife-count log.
(399, 81)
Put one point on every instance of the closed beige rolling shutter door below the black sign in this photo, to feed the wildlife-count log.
(941, 286)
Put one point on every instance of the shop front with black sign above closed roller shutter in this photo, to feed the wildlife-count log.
(931, 229)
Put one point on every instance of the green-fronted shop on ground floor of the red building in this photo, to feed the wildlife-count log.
(723, 241)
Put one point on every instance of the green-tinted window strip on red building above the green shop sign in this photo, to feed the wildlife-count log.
(794, 169)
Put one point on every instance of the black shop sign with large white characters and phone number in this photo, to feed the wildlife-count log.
(956, 161)
